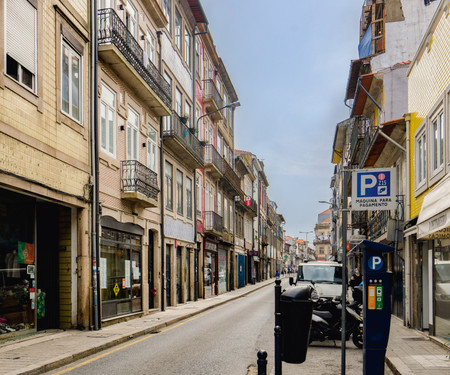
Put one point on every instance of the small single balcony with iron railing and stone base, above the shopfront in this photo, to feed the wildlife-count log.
(139, 184)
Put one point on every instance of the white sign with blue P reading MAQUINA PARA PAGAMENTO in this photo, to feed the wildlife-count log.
(374, 189)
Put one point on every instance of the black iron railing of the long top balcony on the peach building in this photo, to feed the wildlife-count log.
(113, 31)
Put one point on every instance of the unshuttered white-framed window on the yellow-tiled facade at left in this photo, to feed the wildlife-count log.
(71, 82)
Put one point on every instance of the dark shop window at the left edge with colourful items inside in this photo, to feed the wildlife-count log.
(17, 263)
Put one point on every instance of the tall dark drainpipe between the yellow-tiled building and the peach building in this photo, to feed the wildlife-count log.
(94, 154)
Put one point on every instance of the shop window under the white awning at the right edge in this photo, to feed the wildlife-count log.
(442, 290)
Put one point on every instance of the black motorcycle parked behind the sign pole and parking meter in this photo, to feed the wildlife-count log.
(326, 322)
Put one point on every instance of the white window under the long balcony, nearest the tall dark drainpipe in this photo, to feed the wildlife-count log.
(108, 120)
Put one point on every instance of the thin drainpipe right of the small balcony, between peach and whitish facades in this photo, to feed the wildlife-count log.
(161, 181)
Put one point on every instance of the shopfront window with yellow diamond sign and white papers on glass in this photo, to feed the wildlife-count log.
(120, 273)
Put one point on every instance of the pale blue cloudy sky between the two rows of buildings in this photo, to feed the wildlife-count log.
(289, 62)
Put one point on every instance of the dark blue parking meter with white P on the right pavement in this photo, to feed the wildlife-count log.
(377, 306)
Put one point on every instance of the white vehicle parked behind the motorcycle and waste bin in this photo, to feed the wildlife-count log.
(326, 276)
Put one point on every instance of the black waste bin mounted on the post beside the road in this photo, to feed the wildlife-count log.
(296, 312)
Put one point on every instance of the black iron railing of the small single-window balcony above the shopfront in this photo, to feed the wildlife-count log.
(136, 177)
